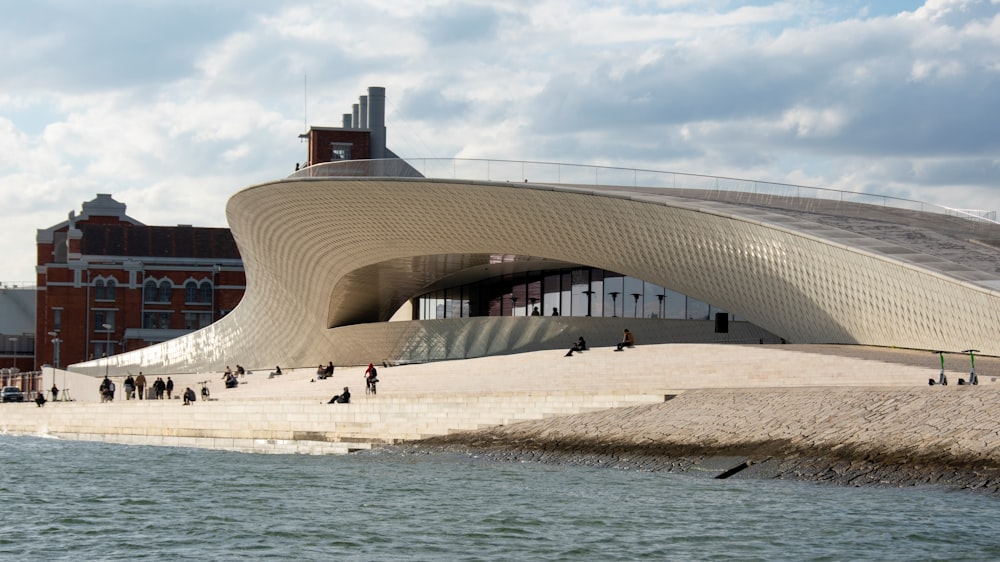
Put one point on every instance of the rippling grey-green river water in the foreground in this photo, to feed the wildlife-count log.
(65, 500)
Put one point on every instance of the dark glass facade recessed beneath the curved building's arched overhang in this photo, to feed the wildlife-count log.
(563, 292)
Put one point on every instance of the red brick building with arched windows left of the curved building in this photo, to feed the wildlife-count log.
(109, 284)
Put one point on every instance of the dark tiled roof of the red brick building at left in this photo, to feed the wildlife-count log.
(158, 241)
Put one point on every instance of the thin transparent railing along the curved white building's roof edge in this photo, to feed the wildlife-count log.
(709, 187)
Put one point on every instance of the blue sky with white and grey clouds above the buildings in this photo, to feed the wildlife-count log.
(172, 106)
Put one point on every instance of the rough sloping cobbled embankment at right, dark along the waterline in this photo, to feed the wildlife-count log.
(854, 436)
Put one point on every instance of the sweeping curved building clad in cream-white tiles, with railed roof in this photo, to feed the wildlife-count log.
(331, 260)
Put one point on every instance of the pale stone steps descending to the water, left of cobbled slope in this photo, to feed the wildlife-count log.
(299, 426)
